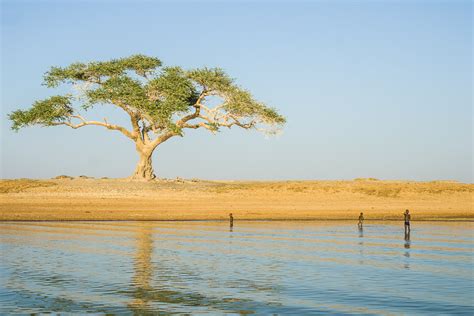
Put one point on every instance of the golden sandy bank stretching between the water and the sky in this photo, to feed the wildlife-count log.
(121, 199)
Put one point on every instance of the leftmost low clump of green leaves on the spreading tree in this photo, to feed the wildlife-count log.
(45, 112)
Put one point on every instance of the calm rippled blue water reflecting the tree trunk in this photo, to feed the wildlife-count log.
(284, 268)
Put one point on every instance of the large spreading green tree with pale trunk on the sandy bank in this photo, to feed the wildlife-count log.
(161, 102)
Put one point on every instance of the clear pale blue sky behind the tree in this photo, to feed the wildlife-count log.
(370, 88)
